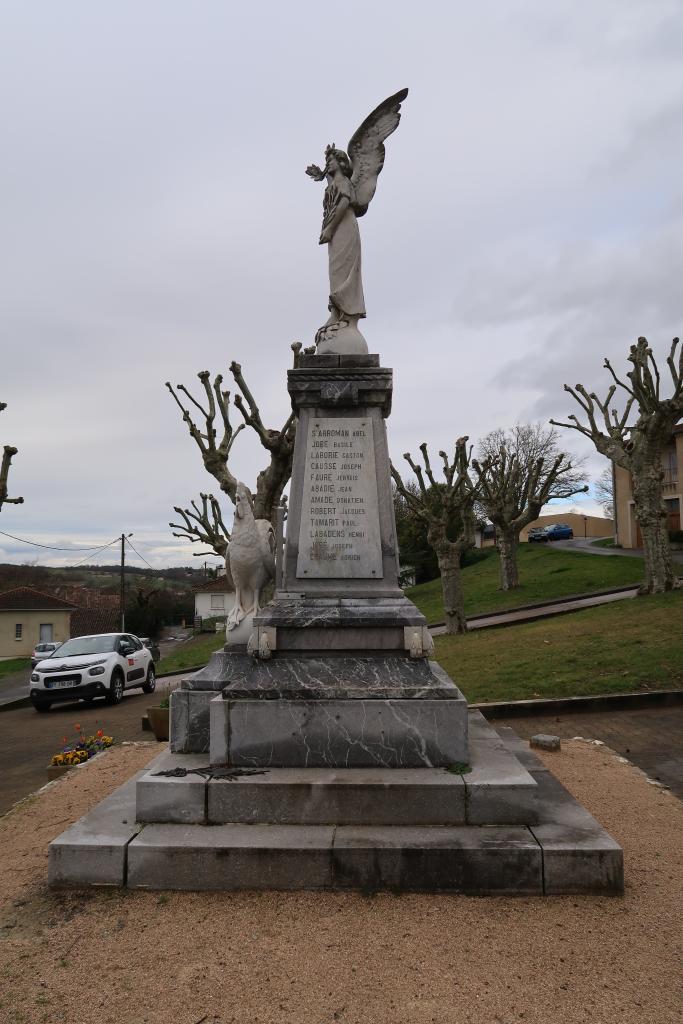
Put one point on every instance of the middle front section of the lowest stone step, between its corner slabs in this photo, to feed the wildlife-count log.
(468, 860)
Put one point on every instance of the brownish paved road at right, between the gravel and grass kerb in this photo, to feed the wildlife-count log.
(652, 738)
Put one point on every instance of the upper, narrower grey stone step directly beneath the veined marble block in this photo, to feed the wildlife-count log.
(495, 790)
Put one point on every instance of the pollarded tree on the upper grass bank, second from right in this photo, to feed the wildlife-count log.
(524, 470)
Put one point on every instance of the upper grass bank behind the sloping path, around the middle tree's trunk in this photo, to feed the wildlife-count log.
(545, 574)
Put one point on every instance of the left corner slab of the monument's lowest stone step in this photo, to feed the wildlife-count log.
(94, 850)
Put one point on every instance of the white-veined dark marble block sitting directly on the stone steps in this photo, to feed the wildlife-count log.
(324, 710)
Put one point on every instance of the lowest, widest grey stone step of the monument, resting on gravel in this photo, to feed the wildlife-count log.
(567, 851)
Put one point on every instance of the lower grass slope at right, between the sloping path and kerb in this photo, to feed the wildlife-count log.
(635, 645)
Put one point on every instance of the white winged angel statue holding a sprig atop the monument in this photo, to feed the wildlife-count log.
(352, 184)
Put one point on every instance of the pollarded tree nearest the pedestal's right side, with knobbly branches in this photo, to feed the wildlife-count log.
(447, 508)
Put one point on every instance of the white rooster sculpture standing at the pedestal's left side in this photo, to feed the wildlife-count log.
(250, 559)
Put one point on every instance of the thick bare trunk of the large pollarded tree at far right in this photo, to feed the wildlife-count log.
(652, 518)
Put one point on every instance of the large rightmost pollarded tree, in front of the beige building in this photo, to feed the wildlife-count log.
(638, 447)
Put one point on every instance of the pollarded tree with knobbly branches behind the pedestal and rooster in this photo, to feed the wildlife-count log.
(205, 524)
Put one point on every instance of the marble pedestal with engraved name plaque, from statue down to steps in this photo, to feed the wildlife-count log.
(339, 674)
